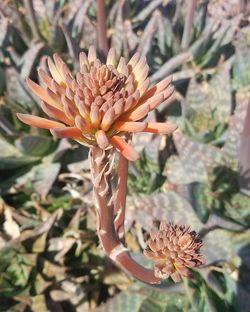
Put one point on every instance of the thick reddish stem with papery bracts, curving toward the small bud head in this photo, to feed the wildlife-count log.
(101, 166)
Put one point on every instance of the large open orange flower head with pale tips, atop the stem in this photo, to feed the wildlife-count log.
(102, 103)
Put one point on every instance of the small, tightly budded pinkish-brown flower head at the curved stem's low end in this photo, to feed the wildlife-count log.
(174, 249)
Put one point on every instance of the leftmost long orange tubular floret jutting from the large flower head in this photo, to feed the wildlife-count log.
(39, 122)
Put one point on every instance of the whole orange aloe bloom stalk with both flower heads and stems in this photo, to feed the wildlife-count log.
(101, 107)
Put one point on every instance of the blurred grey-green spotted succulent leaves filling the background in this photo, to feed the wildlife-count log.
(49, 254)
